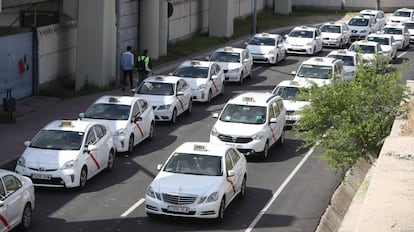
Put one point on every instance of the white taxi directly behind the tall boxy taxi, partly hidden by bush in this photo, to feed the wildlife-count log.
(288, 91)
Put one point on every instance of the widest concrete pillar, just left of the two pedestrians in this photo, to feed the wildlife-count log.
(96, 43)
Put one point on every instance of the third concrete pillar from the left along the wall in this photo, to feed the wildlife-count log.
(220, 18)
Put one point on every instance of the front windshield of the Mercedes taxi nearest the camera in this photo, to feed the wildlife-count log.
(194, 164)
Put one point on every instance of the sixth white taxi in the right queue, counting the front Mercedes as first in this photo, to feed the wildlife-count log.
(367, 49)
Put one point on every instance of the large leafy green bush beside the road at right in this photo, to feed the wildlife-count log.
(350, 119)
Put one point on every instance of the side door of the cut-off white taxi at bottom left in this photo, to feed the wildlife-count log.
(12, 202)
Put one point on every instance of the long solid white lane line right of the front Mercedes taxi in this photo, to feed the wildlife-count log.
(279, 190)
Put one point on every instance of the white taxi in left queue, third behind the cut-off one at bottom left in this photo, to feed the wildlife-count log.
(170, 96)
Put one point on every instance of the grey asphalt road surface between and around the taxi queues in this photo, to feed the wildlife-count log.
(288, 192)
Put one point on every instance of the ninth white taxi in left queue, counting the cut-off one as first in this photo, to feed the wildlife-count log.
(335, 34)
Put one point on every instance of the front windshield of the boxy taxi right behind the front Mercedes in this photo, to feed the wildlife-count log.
(244, 114)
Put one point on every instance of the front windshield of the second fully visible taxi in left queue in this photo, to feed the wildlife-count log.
(108, 112)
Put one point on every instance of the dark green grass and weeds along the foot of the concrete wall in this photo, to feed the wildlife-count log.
(65, 87)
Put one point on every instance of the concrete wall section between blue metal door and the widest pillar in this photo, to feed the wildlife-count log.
(57, 51)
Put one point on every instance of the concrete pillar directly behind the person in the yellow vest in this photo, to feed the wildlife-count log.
(149, 26)
